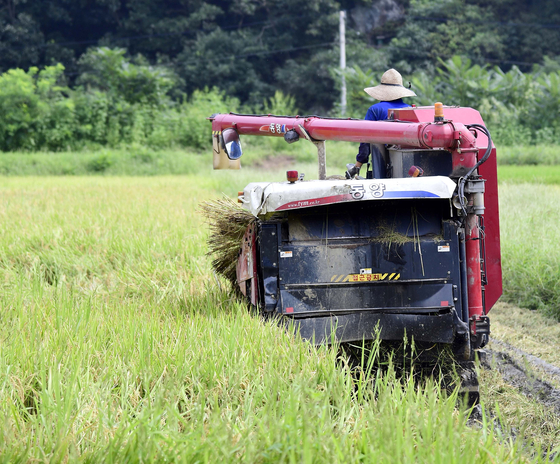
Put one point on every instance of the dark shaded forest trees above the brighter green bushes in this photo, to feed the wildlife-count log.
(250, 48)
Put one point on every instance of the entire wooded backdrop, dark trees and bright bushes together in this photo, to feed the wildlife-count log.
(108, 73)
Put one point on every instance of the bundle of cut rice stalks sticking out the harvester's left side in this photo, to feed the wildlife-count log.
(228, 223)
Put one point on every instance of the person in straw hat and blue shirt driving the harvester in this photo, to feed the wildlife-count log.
(390, 94)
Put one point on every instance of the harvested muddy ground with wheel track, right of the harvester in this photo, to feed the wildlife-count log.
(520, 378)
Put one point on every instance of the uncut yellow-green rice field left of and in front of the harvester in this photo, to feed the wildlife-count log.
(119, 345)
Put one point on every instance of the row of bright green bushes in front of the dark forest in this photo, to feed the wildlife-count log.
(118, 102)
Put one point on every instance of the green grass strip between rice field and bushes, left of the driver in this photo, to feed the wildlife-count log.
(269, 154)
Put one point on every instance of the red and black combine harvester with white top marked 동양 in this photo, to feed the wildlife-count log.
(417, 257)
